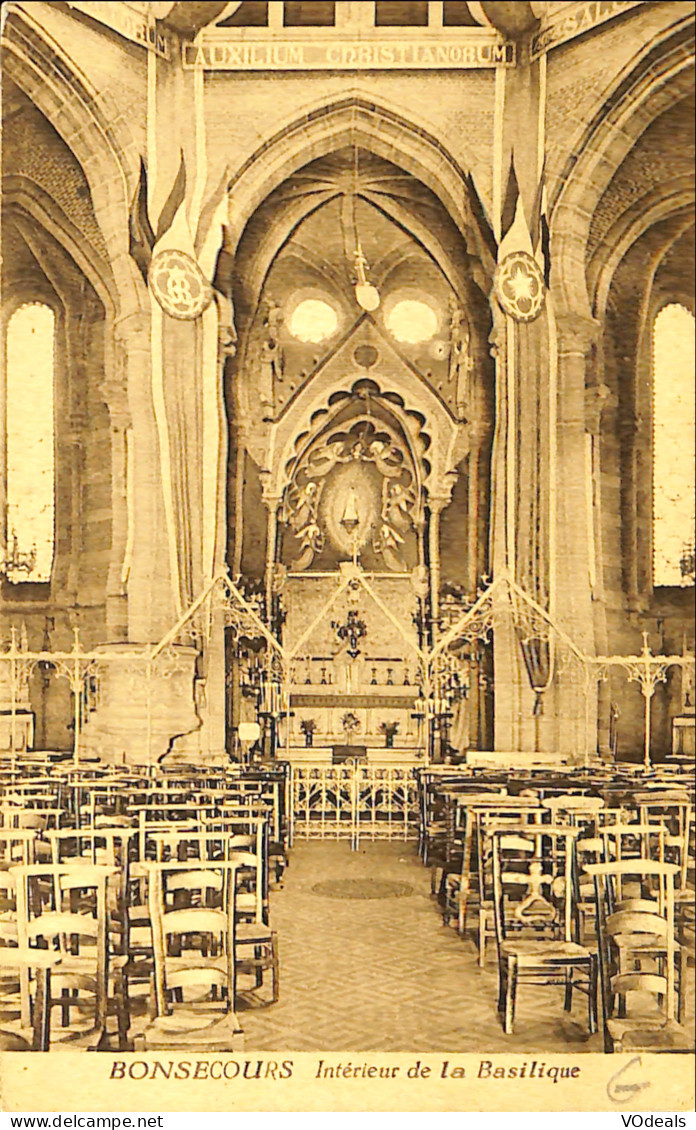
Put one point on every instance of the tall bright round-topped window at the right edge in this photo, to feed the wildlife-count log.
(674, 447)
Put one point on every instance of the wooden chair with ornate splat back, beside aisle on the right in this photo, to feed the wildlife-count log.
(535, 919)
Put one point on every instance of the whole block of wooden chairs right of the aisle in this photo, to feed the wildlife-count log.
(530, 862)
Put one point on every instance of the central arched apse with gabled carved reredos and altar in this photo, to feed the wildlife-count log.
(359, 418)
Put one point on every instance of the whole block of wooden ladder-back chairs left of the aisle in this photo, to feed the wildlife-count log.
(92, 868)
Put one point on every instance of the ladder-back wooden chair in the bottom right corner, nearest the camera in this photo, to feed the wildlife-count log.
(641, 962)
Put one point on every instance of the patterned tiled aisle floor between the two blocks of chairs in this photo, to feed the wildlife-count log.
(386, 976)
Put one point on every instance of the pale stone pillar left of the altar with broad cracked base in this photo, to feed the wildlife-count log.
(142, 708)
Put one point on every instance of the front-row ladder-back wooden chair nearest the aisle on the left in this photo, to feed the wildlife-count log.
(195, 958)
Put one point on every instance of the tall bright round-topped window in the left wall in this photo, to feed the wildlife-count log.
(31, 467)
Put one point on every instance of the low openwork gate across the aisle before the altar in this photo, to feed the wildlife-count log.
(353, 803)
